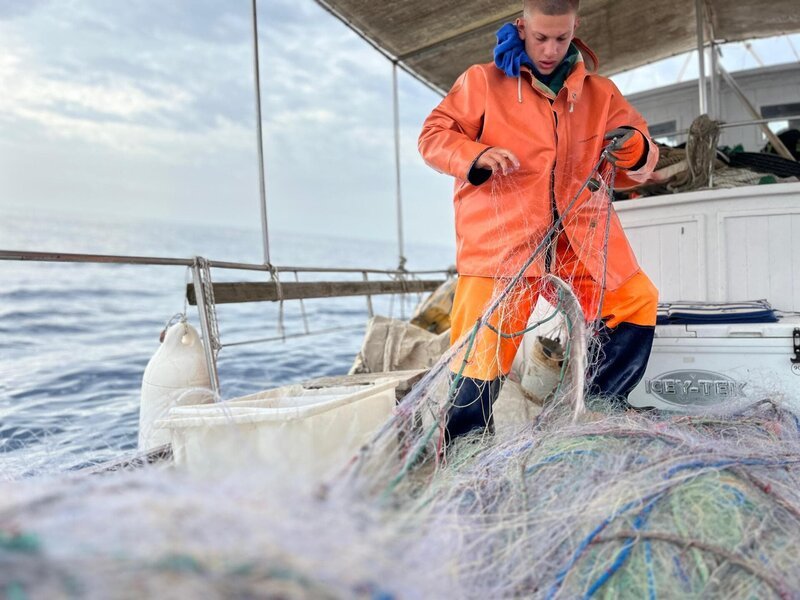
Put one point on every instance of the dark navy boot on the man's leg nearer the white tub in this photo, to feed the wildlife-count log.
(471, 408)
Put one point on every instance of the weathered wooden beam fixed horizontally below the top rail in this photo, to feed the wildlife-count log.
(228, 293)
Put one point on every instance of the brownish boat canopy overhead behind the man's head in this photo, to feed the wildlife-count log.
(436, 40)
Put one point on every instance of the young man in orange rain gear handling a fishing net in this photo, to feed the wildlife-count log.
(521, 136)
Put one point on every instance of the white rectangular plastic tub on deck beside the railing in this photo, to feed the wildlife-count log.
(288, 431)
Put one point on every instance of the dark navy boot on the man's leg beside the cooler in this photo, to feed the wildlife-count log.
(619, 359)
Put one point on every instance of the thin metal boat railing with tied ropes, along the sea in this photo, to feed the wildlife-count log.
(206, 294)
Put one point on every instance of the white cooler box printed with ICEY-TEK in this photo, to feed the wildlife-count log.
(697, 365)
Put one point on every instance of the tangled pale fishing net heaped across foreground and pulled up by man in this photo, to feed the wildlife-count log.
(586, 500)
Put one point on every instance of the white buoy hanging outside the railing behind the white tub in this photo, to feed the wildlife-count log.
(177, 375)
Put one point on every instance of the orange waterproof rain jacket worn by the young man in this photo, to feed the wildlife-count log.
(558, 139)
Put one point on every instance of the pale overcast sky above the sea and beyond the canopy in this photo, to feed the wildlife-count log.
(146, 108)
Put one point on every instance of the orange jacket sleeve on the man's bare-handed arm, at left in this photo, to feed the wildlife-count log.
(448, 138)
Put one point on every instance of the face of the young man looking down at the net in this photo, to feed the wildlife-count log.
(547, 38)
